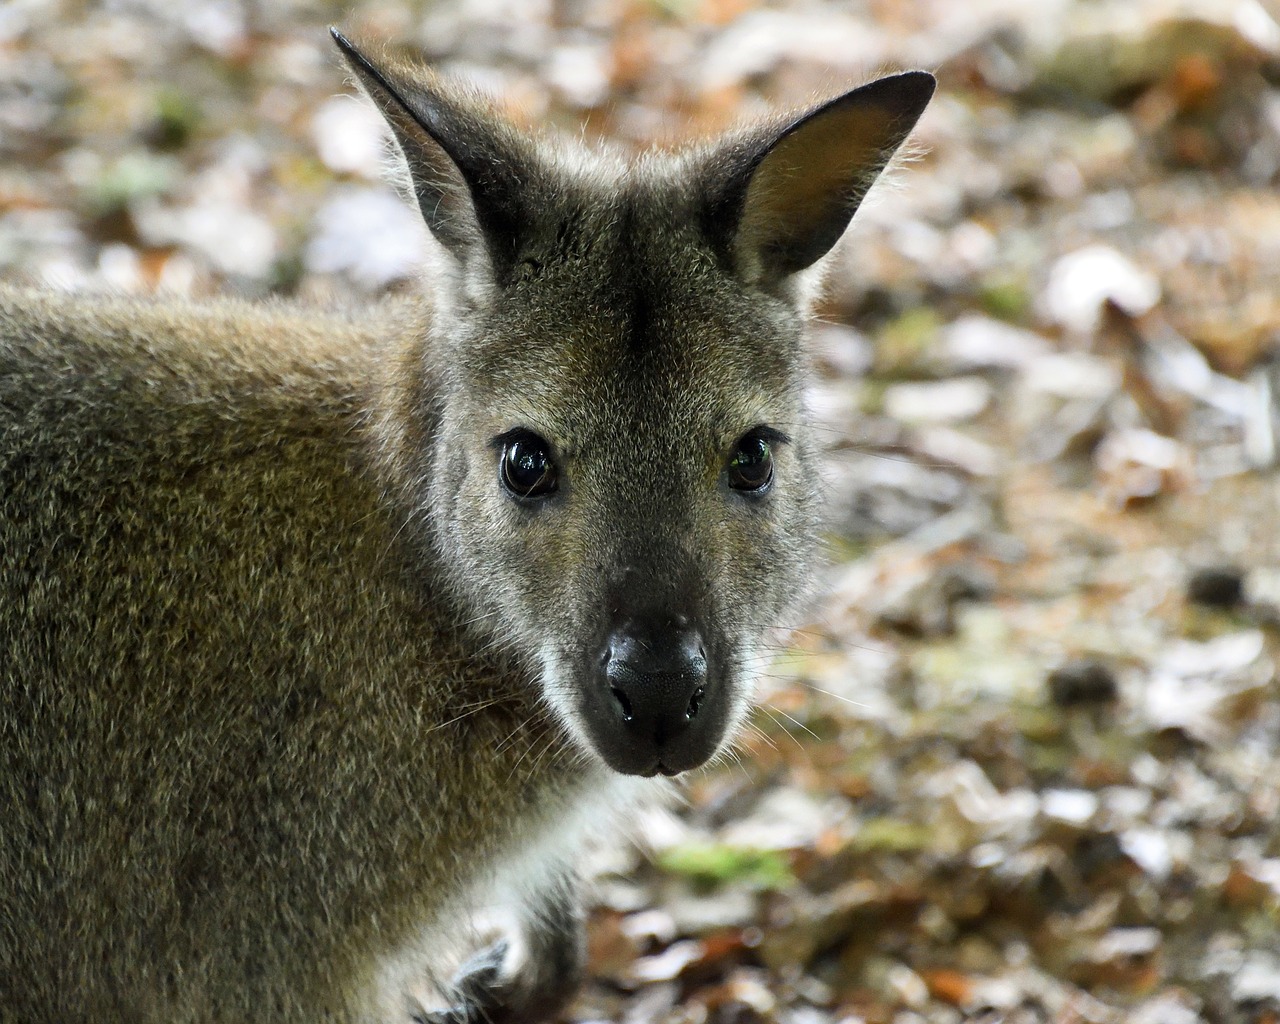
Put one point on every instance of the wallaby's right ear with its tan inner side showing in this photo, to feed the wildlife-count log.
(793, 191)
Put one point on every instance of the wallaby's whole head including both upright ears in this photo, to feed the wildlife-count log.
(615, 467)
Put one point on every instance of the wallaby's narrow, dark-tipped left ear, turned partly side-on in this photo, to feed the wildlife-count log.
(468, 168)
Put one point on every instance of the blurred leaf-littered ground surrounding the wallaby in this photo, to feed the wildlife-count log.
(1021, 761)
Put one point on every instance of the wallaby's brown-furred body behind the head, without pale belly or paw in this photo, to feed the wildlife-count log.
(243, 767)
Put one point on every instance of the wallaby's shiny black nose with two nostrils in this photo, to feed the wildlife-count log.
(656, 673)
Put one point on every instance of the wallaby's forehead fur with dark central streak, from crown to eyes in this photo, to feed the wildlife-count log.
(619, 292)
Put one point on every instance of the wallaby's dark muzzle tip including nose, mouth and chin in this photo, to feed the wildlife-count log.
(653, 706)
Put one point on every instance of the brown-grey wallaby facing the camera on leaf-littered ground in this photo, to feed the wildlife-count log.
(319, 632)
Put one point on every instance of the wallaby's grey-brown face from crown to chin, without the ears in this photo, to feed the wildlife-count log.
(629, 488)
